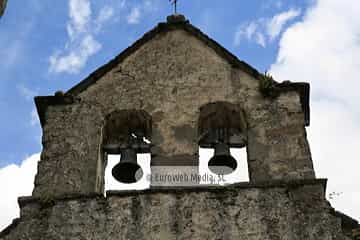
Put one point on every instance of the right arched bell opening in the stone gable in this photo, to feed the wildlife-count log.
(222, 132)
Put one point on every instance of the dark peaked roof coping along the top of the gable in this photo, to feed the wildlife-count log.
(178, 22)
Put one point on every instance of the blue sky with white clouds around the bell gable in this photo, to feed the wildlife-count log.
(48, 45)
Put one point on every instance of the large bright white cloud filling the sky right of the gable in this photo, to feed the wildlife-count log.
(324, 49)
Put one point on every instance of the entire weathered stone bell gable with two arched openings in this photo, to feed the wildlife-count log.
(179, 90)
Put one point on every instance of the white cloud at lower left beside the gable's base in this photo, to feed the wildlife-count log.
(15, 181)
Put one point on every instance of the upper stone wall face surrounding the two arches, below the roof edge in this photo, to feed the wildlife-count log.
(171, 77)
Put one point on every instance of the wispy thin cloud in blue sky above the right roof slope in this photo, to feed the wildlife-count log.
(264, 30)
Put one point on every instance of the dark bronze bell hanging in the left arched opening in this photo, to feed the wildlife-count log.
(127, 170)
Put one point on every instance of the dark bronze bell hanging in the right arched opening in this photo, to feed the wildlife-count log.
(222, 162)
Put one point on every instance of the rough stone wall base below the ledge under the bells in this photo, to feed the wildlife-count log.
(263, 212)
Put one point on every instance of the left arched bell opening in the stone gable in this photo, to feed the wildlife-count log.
(126, 149)
